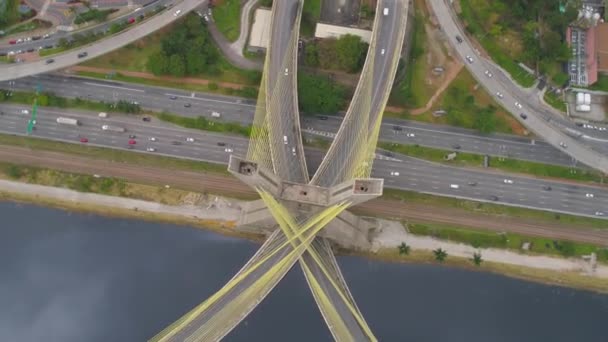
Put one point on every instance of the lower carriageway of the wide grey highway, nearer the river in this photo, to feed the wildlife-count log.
(414, 174)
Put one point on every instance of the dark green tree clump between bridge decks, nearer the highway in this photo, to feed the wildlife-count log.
(318, 94)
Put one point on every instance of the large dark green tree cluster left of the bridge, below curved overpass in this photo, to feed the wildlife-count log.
(187, 50)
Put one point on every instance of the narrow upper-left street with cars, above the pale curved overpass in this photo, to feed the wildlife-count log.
(53, 39)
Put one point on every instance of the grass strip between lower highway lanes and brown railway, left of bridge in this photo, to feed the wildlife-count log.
(112, 154)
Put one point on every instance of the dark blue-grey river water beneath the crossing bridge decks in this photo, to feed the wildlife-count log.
(76, 277)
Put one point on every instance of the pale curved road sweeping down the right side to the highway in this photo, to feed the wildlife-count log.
(590, 149)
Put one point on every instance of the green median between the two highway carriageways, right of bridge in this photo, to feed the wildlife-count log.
(504, 164)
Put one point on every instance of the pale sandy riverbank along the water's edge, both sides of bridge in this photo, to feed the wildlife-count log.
(219, 215)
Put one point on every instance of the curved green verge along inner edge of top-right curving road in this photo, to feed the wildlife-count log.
(488, 42)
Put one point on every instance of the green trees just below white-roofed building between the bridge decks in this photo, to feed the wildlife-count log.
(346, 53)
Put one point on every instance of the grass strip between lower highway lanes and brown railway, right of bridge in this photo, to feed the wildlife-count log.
(493, 209)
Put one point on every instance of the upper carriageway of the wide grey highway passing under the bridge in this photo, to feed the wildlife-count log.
(242, 111)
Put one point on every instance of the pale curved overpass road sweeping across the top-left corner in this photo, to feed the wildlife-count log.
(98, 48)
